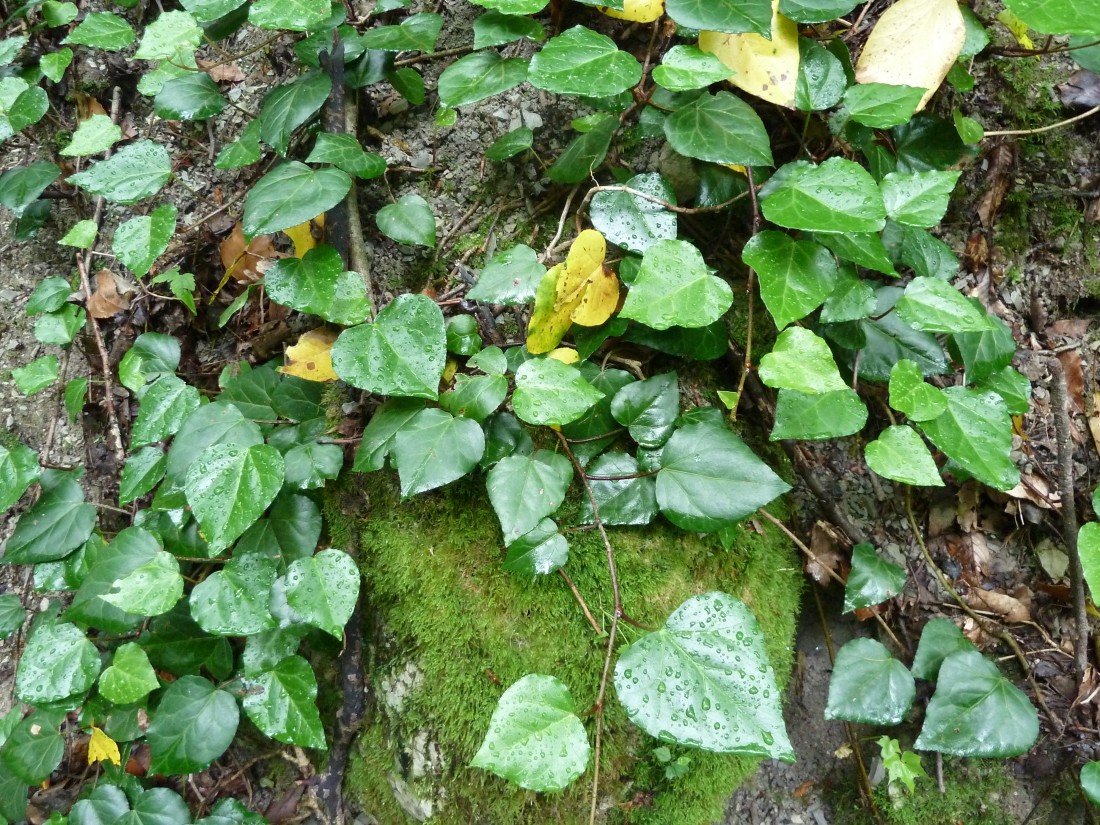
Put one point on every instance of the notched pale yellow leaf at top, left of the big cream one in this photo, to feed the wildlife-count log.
(768, 69)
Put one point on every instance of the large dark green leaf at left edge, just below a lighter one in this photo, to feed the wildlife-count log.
(54, 527)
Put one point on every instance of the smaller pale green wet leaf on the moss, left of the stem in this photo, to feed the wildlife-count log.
(535, 738)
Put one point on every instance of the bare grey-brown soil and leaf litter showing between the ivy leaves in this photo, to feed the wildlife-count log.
(1035, 261)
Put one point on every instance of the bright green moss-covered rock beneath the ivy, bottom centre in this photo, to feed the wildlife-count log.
(450, 631)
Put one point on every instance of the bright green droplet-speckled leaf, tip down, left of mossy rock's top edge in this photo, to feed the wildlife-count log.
(229, 487)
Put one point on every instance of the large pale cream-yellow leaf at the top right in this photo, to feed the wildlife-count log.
(915, 43)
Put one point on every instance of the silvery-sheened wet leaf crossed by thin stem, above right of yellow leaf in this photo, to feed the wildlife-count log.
(633, 223)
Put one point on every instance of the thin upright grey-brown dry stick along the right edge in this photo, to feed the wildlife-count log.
(1061, 411)
